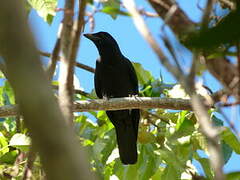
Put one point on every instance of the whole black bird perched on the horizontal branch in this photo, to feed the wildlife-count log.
(116, 77)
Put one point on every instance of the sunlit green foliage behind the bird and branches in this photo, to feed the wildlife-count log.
(168, 149)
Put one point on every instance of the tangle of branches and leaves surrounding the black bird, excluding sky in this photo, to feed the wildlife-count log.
(181, 124)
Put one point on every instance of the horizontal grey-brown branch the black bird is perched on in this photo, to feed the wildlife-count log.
(115, 104)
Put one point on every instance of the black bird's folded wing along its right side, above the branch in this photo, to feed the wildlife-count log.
(132, 75)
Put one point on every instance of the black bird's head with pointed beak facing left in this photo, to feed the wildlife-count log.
(105, 43)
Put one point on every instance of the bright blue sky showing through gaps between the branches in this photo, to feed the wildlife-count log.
(132, 45)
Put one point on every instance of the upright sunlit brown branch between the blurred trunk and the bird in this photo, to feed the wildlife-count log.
(66, 65)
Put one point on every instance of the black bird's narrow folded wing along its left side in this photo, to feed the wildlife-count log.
(97, 80)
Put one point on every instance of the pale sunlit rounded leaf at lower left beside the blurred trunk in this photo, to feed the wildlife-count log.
(20, 141)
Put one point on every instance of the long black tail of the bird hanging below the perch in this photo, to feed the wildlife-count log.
(127, 145)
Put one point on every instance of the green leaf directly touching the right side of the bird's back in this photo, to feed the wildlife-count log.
(143, 75)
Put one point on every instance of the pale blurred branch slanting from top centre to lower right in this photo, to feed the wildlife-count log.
(208, 130)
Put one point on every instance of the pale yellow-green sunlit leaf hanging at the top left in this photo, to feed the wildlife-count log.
(45, 8)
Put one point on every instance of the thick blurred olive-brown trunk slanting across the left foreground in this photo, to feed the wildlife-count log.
(37, 103)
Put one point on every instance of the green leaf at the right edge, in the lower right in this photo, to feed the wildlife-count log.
(230, 139)
